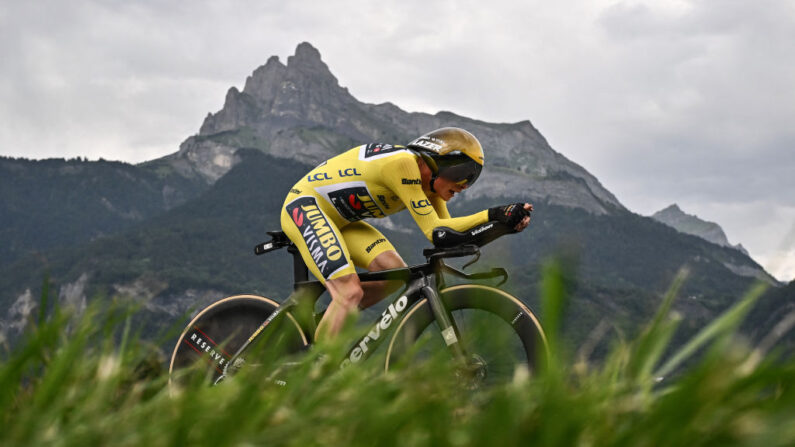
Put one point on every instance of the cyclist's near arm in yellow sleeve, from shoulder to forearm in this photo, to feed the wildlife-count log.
(420, 207)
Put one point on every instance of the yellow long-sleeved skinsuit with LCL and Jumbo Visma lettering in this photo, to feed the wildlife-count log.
(323, 212)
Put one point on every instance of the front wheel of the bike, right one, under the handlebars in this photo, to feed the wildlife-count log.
(522, 344)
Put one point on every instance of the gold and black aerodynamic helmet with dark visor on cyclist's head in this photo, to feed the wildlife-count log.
(452, 153)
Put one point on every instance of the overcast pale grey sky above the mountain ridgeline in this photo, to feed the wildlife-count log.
(668, 101)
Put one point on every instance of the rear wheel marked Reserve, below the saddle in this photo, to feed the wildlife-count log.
(220, 329)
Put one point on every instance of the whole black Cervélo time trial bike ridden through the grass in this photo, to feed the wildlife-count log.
(427, 316)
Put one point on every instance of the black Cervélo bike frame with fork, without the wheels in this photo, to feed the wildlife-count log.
(421, 281)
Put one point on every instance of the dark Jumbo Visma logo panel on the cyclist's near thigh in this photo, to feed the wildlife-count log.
(322, 242)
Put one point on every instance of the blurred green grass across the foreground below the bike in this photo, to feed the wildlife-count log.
(88, 380)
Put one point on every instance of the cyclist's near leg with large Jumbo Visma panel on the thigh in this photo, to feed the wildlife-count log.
(326, 255)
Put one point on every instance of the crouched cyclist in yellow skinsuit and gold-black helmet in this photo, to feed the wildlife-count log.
(322, 215)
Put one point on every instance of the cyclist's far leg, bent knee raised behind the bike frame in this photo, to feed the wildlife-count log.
(369, 249)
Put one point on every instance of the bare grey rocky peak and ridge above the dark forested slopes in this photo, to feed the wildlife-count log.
(299, 111)
